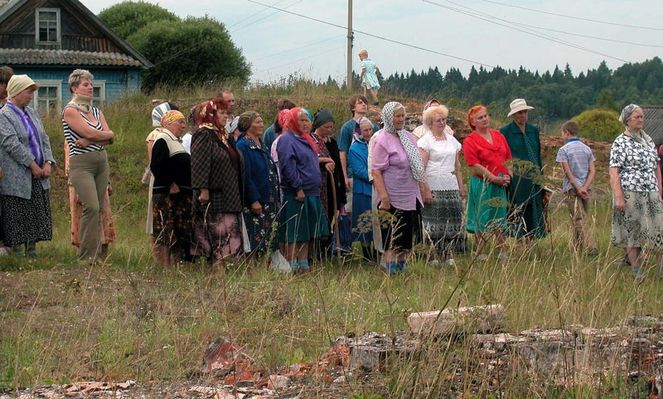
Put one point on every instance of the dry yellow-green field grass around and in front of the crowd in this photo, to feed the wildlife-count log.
(130, 319)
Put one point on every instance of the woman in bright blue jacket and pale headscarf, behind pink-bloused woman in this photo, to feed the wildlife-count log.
(362, 188)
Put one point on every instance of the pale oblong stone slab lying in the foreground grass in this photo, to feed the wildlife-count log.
(463, 320)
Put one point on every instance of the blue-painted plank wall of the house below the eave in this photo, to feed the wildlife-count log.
(118, 81)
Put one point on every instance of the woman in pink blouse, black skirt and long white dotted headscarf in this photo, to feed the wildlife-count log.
(398, 176)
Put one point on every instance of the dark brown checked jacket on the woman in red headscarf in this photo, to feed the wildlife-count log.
(212, 167)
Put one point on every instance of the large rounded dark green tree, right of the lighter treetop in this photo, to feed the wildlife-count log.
(192, 51)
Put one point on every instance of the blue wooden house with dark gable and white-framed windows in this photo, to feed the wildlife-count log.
(47, 39)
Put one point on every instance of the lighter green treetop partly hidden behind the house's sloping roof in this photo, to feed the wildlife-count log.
(128, 17)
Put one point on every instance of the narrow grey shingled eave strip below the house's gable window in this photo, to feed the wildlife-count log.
(21, 56)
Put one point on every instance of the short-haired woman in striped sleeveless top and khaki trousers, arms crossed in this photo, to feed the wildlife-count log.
(86, 133)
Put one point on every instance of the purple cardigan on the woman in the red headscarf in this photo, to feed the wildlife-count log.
(298, 165)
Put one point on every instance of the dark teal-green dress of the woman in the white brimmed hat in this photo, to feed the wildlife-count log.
(527, 217)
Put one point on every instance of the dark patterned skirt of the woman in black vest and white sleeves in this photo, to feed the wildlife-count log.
(171, 224)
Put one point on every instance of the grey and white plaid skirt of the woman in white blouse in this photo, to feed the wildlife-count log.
(443, 222)
